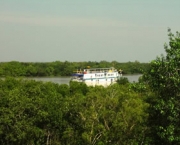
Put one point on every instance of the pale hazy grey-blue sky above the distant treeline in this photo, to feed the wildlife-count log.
(86, 30)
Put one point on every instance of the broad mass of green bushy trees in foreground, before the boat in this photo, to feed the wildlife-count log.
(37, 113)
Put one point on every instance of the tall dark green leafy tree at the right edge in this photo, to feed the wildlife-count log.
(163, 79)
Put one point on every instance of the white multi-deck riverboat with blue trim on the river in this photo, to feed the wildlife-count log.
(97, 76)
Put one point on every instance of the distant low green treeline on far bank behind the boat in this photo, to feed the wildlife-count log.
(58, 68)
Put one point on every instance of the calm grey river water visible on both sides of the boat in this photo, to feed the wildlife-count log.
(65, 80)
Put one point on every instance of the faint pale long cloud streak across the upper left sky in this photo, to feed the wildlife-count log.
(61, 21)
